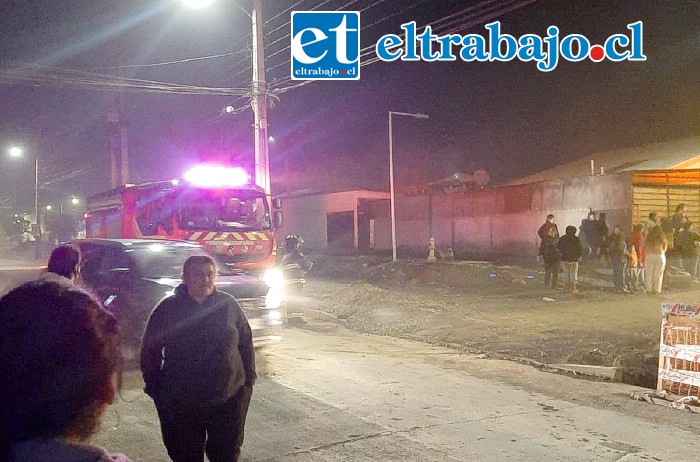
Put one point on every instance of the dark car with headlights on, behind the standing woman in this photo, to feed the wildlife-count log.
(132, 275)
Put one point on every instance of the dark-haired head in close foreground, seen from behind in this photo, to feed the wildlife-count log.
(60, 356)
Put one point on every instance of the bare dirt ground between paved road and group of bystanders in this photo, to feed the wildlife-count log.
(500, 311)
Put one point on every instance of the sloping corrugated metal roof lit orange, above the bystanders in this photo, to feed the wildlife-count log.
(672, 155)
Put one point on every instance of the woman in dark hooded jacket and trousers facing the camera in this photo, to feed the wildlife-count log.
(198, 364)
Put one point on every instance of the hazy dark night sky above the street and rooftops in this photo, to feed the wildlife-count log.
(508, 118)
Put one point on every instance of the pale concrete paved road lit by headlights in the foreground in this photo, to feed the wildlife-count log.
(333, 395)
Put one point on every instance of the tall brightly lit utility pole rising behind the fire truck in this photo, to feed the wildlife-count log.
(259, 103)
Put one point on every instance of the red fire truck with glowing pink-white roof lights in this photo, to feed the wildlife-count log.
(214, 206)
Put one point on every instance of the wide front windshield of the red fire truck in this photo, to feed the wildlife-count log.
(223, 210)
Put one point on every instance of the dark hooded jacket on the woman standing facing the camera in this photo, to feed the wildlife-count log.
(197, 354)
